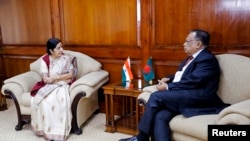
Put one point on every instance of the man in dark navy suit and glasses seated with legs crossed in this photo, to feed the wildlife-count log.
(190, 91)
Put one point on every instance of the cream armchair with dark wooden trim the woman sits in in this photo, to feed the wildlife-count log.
(83, 92)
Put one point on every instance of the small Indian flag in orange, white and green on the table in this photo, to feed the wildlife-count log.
(127, 74)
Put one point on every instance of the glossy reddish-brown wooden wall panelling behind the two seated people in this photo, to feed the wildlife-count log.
(112, 30)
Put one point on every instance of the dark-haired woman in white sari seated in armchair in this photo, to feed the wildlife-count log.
(50, 105)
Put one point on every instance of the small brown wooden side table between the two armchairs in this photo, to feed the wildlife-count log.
(128, 121)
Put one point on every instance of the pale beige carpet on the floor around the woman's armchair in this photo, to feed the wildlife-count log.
(93, 130)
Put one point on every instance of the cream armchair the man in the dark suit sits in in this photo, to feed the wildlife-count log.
(233, 88)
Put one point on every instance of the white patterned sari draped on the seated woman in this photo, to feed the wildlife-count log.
(51, 106)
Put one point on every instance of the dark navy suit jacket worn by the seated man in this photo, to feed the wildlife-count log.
(199, 85)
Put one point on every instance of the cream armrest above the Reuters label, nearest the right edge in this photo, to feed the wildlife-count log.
(237, 113)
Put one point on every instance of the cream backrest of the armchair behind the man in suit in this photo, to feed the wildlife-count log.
(235, 75)
